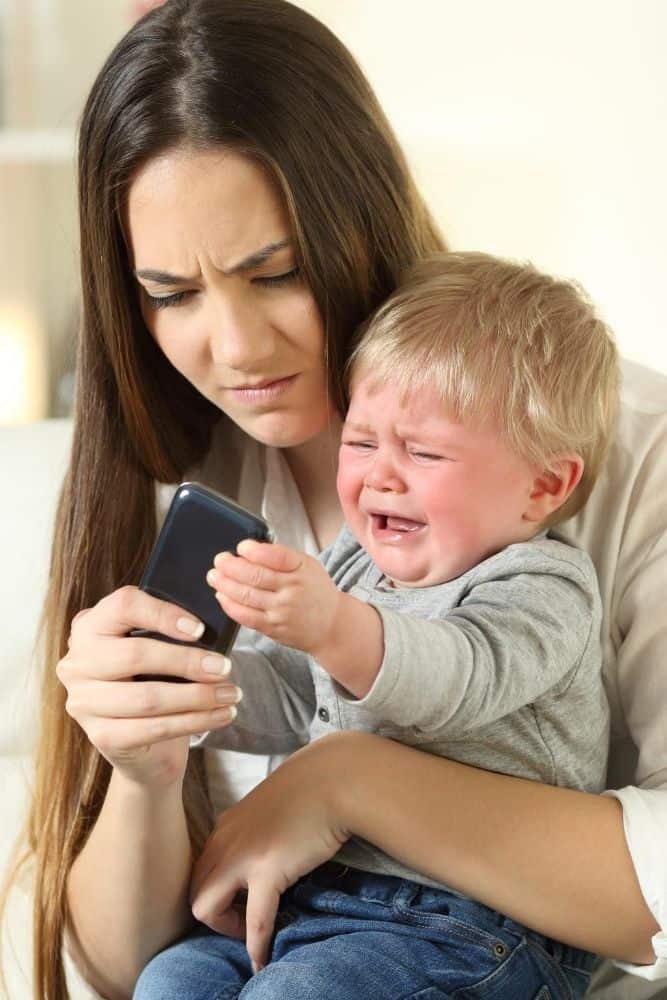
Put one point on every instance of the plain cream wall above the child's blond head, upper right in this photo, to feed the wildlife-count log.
(536, 130)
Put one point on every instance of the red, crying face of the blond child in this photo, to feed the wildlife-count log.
(428, 498)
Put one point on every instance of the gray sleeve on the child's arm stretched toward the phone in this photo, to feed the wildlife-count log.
(509, 642)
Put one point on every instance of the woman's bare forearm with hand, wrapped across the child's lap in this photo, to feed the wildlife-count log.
(553, 859)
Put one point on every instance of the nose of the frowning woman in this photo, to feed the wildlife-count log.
(240, 337)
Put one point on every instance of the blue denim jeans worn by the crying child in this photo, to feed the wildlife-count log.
(343, 934)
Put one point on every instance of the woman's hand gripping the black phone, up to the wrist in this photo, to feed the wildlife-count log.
(143, 727)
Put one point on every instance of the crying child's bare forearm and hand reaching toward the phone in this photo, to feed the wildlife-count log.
(289, 597)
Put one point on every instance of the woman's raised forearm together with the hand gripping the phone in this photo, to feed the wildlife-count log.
(127, 889)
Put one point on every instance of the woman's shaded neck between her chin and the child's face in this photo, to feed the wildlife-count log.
(313, 466)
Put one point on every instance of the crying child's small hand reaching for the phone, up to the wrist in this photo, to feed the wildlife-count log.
(281, 593)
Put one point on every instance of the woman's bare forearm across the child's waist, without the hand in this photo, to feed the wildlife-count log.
(551, 858)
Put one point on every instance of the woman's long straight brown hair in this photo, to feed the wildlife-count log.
(267, 79)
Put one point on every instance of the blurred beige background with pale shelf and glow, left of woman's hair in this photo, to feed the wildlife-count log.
(50, 52)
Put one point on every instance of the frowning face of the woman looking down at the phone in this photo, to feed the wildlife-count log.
(212, 249)
